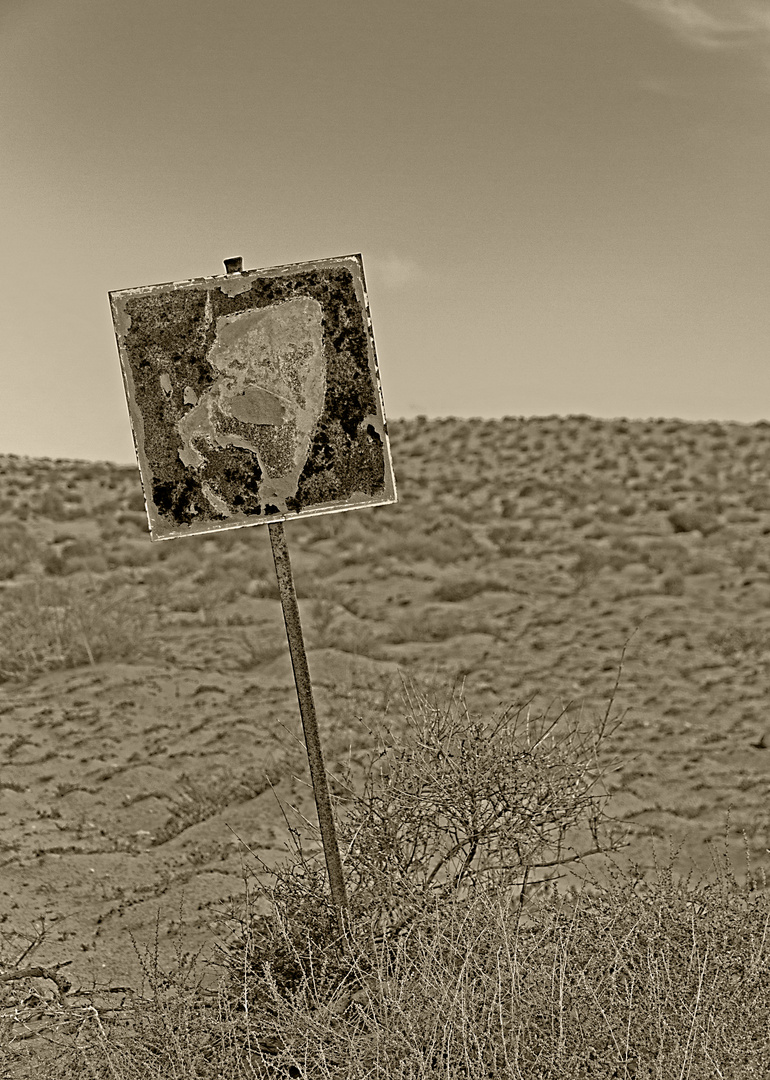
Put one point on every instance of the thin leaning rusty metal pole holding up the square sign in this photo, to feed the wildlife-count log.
(307, 707)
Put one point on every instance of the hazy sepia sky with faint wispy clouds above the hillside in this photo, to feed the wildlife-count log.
(563, 206)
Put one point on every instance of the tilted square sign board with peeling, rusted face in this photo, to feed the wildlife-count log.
(254, 397)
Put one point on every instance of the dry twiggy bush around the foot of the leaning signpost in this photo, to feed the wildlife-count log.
(452, 806)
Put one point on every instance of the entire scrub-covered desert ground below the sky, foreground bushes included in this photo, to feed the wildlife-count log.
(542, 681)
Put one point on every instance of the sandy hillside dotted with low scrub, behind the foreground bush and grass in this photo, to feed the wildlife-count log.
(151, 745)
